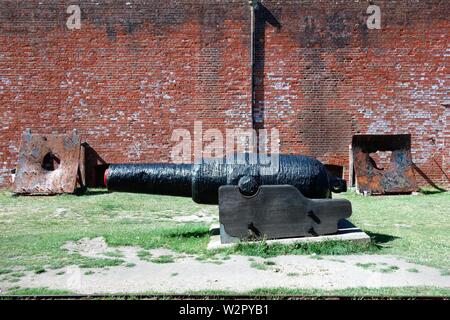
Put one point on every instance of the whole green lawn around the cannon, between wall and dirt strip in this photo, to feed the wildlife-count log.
(33, 229)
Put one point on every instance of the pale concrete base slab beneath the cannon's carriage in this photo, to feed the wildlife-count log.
(347, 232)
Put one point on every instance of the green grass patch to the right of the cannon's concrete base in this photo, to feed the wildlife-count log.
(425, 240)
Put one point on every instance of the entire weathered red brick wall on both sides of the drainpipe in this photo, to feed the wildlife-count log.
(136, 70)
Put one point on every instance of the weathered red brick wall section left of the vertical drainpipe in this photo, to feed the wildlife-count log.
(135, 71)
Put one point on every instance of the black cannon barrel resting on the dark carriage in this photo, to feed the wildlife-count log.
(202, 181)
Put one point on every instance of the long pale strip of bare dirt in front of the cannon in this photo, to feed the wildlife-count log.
(234, 273)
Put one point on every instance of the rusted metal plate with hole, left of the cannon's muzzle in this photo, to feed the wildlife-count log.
(47, 164)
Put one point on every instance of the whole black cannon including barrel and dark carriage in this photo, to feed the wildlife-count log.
(288, 196)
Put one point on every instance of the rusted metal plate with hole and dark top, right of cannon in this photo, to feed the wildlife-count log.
(397, 177)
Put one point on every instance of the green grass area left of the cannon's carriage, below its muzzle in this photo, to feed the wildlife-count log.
(32, 233)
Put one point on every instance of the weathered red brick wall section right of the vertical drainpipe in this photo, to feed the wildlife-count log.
(327, 76)
